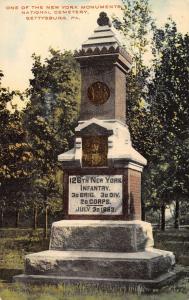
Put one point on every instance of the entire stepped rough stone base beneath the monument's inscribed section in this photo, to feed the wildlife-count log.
(100, 252)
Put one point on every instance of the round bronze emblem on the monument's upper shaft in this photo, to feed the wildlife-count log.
(98, 93)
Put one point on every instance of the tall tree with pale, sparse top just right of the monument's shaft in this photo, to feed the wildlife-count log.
(135, 27)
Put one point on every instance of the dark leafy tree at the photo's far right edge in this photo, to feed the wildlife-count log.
(169, 101)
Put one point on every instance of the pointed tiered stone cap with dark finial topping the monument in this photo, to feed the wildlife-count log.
(103, 41)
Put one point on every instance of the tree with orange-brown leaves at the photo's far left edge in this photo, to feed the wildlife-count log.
(15, 155)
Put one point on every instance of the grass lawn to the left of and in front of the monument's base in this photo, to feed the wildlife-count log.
(12, 252)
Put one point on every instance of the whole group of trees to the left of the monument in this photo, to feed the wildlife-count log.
(31, 139)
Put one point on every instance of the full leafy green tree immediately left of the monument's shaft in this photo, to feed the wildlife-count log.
(51, 115)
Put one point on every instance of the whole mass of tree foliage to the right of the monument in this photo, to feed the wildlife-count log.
(157, 102)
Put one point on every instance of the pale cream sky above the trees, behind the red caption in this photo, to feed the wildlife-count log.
(21, 37)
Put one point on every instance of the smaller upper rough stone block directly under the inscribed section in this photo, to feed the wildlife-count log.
(101, 235)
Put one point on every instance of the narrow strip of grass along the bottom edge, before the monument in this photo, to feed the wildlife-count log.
(179, 291)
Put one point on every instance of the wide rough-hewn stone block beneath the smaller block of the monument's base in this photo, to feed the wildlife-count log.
(141, 265)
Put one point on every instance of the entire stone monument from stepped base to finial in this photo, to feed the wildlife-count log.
(102, 238)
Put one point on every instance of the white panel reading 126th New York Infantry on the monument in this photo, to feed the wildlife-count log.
(95, 194)
